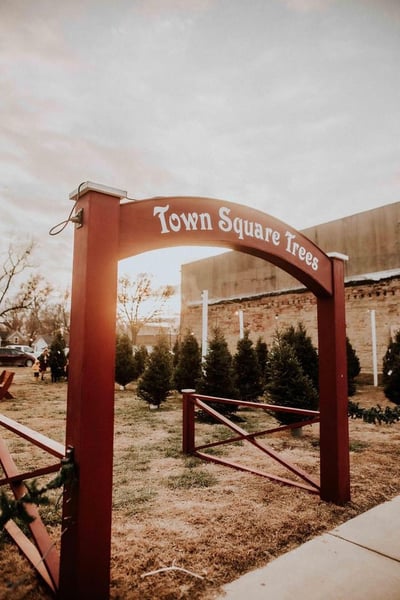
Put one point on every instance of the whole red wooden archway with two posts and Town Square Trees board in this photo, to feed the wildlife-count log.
(109, 229)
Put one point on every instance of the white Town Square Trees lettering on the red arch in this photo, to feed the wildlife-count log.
(242, 228)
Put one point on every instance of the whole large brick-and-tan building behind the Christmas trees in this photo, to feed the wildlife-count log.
(268, 298)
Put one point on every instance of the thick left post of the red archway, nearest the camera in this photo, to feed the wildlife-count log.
(86, 523)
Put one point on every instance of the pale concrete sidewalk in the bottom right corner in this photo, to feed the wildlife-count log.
(359, 560)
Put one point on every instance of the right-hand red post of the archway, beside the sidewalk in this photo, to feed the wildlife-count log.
(334, 423)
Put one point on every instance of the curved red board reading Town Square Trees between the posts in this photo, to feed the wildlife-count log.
(188, 221)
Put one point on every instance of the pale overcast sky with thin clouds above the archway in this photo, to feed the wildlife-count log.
(290, 106)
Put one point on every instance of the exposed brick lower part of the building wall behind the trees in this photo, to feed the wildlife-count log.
(263, 315)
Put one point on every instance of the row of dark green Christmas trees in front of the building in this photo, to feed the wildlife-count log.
(286, 374)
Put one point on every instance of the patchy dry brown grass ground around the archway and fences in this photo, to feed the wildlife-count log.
(212, 522)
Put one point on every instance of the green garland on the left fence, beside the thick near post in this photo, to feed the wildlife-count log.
(15, 509)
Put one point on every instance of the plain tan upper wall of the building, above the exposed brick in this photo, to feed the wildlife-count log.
(371, 240)
